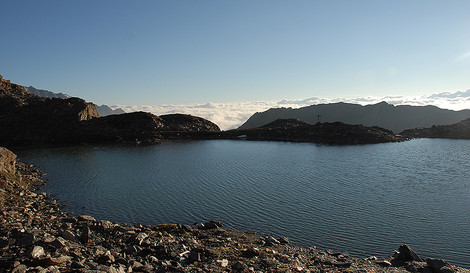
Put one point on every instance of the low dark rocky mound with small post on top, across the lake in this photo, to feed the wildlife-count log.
(336, 133)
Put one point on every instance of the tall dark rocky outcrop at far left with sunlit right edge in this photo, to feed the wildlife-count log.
(30, 119)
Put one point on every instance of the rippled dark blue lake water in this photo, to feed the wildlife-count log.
(364, 200)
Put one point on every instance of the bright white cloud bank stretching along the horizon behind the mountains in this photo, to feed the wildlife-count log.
(232, 115)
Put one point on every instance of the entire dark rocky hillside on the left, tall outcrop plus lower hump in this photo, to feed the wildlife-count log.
(31, 119)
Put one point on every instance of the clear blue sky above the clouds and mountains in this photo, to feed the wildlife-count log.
(198, 51)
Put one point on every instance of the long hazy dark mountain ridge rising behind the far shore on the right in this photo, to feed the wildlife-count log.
(395, 118)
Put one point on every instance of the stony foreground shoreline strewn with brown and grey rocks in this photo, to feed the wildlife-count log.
(36, 235)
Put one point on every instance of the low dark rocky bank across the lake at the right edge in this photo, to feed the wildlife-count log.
(460, 130)
